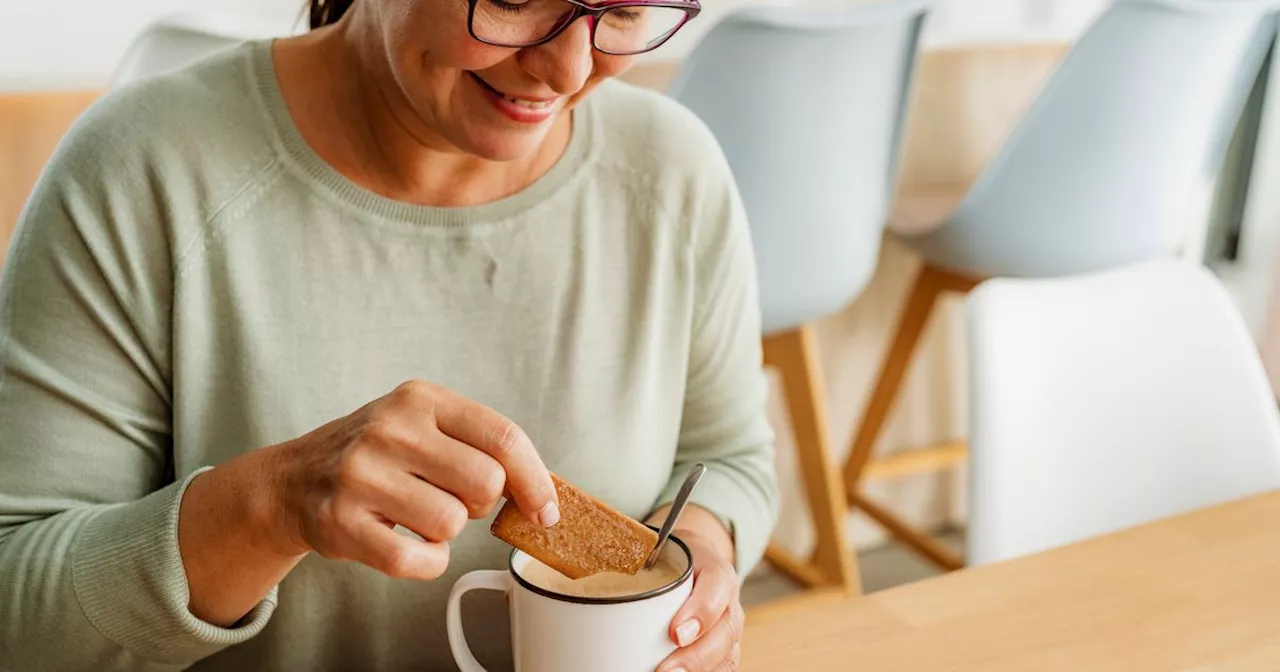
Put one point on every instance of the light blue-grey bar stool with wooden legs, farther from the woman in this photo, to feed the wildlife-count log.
(1110, 166)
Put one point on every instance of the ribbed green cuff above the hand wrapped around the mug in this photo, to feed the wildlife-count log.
(747, 518)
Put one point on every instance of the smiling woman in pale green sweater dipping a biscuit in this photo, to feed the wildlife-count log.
(436, 232)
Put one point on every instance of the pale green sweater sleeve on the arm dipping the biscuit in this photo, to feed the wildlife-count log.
(90, 572)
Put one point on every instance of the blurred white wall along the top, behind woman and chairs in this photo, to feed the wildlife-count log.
(75, 44)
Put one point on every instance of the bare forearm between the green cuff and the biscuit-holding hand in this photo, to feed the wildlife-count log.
(231, 538)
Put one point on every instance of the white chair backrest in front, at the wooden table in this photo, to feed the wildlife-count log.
(1109, 400)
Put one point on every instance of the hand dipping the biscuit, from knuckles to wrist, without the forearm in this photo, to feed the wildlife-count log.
(422, 458)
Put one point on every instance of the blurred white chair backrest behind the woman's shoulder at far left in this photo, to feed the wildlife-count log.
(181, 40)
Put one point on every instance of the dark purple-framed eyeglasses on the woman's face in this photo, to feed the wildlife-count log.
(619, 28)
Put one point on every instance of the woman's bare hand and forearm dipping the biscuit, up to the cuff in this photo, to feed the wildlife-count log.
(422, 458)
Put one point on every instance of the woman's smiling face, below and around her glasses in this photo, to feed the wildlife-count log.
(490, 102)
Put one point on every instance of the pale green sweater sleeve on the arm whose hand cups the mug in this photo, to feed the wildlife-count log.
(725, 424)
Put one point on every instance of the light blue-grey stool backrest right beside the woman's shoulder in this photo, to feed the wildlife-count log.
(810, 107)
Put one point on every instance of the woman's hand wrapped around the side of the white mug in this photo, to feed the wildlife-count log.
(708, 629)
